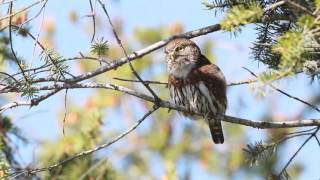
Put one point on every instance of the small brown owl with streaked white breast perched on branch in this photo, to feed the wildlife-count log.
(197, 84)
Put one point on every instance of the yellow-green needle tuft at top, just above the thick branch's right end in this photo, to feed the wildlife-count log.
(241, 15)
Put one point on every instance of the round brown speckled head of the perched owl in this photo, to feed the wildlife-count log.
(182, 55)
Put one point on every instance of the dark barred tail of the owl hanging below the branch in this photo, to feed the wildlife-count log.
(216, 130)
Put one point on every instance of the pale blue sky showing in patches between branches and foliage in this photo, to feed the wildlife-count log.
(232, 54)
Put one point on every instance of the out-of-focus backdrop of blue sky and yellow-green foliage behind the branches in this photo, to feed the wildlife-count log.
(166, 145)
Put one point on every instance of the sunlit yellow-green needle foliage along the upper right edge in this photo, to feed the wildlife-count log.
(291, 48)
